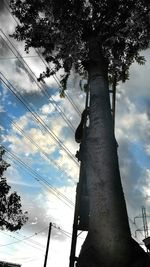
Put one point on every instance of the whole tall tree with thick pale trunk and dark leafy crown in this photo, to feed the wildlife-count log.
(101, 38)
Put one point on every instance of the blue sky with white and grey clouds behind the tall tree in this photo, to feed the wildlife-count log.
(37, 130)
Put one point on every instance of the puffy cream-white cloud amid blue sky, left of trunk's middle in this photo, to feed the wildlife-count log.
(43, 138)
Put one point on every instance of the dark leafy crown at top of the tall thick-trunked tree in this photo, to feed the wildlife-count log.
(63, 29)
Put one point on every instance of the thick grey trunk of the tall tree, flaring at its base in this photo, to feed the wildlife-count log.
(109, 242)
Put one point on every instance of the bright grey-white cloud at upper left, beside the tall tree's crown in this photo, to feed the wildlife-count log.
(25, 80)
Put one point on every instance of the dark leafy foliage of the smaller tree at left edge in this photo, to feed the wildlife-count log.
(11, 216)
